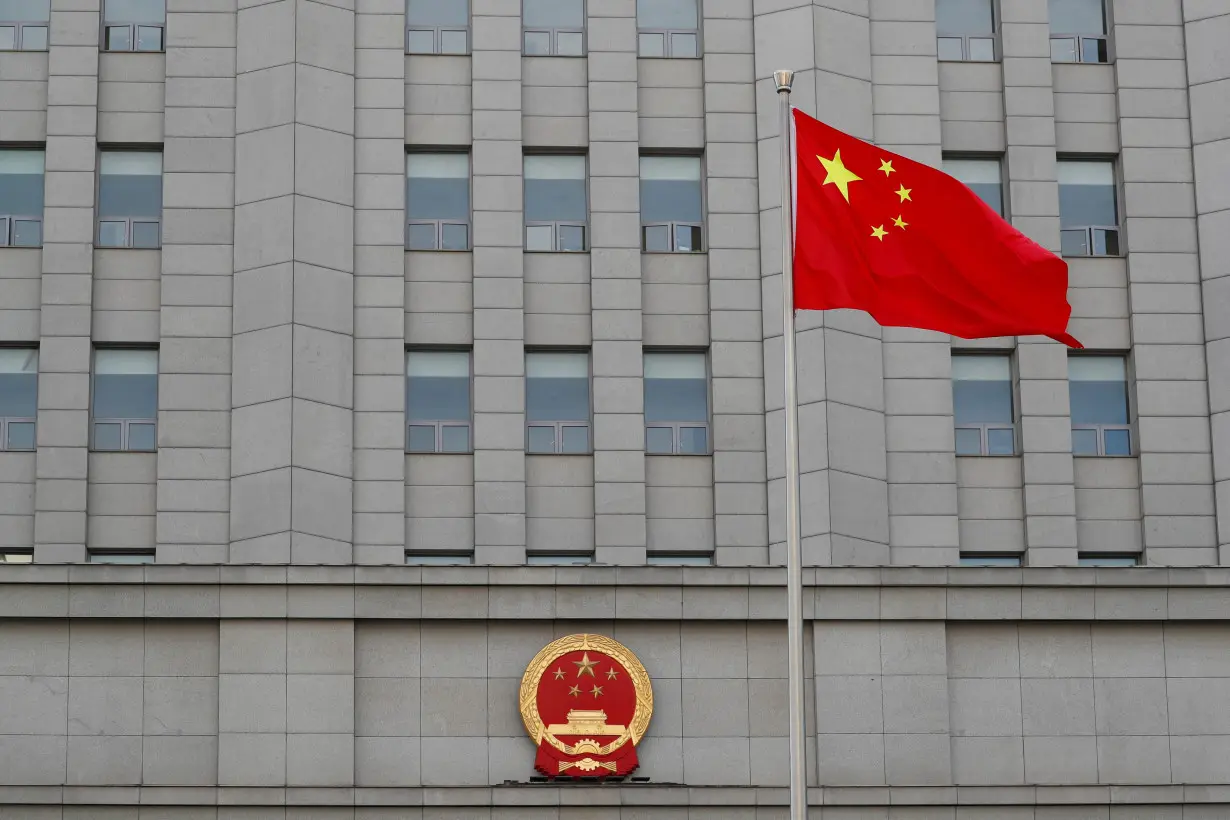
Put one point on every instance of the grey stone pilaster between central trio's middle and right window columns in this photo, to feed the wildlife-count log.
(616, 286)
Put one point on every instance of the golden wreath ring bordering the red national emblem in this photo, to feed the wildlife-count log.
(586, 642)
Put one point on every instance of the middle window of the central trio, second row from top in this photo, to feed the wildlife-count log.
(557, 212)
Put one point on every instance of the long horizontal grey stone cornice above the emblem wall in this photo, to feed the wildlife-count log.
(614, 593)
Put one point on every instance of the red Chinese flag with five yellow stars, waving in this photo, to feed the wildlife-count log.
(915, 248)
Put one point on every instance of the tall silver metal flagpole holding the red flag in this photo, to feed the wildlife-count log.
(794, 543)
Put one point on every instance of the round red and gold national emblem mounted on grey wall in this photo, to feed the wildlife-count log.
(586, 701)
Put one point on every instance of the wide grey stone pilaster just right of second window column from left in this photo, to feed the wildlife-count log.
(195, 357)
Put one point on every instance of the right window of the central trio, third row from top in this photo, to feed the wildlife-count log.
(676, 404)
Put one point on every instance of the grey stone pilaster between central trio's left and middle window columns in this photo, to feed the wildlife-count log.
(499, 286)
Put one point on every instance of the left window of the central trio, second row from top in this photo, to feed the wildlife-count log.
(438, 202)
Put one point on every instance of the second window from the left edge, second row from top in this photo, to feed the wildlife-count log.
(131, 200)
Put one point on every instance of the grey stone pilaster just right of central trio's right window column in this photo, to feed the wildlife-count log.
(741, 502)
